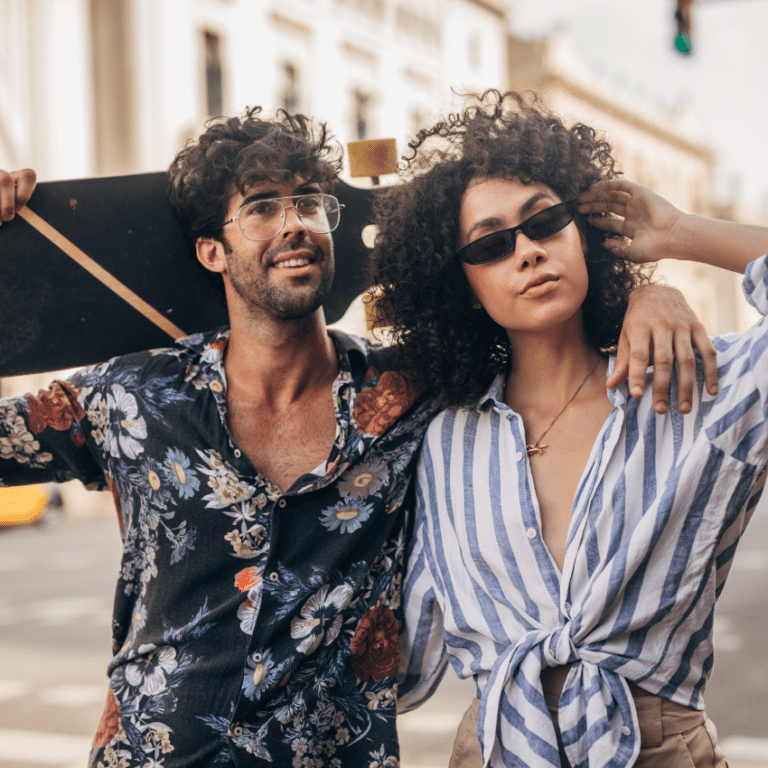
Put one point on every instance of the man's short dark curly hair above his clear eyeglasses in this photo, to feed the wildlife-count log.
(236, 153)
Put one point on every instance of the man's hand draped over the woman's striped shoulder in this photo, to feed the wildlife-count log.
(661, 328)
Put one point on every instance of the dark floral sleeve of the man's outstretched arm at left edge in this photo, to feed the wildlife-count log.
(43, 438)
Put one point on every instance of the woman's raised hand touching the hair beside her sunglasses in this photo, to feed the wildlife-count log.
(648, 220)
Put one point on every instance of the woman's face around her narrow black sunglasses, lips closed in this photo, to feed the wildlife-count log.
(542, 283)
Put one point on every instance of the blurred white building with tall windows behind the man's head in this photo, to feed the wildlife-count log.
(101, 87)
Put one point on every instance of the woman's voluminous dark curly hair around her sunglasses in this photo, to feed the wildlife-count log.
(450, 349)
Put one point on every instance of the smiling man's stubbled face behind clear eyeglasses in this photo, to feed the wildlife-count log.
(286, 277)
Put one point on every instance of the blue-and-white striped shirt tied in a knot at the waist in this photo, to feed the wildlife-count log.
(658, 513)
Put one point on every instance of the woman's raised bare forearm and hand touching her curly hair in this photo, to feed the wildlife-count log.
(657, 230)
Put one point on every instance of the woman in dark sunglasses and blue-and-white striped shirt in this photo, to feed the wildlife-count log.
(570, 540)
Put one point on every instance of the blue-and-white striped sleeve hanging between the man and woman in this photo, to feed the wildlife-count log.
(423, 656)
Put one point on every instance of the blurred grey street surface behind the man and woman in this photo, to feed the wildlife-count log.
(56, 586)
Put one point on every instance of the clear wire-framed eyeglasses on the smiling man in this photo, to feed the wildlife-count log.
(264, 219)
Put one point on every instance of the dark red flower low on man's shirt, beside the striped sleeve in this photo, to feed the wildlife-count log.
(376, 645)
